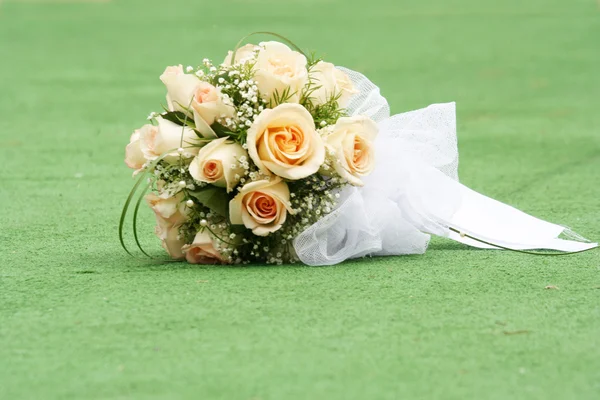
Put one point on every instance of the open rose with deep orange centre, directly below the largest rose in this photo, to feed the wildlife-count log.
(261, 206)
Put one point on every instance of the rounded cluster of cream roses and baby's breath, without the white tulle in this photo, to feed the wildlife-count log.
(249, 153)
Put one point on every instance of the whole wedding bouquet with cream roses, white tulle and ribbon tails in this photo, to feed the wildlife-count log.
(275, 156)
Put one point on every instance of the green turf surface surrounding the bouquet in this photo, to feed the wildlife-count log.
(80, 319)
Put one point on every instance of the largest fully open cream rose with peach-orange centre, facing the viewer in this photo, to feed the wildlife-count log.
(284, 141)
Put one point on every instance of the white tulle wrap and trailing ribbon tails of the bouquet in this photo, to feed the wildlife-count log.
(414, 191)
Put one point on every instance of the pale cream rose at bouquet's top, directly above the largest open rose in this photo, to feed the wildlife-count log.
(277, 68)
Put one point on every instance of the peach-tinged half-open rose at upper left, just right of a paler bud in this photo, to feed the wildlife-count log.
(207, 106)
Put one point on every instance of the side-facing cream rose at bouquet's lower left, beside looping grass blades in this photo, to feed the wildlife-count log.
(170, 215)
